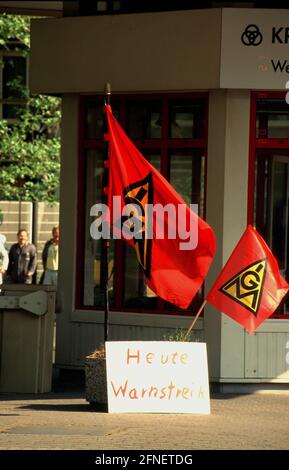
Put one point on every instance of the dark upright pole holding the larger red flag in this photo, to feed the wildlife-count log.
(107, 91)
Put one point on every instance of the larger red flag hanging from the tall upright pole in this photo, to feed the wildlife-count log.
(172, 273)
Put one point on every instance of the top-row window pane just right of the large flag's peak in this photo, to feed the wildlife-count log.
(144, 120)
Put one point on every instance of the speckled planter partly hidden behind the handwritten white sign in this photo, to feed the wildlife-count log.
(95, 380)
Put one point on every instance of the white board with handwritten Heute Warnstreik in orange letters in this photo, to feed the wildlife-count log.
(157, 377)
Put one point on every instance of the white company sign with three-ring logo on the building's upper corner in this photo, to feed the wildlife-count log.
(254, 48)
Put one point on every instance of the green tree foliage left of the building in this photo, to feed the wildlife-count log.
(30, 146)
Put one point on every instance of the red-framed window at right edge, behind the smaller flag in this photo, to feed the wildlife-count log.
(269, 178)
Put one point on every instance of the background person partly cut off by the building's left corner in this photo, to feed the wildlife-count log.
(50, 258)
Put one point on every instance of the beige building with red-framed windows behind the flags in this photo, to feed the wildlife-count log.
(202, 93)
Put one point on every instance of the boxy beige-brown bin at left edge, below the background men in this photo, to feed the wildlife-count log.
(27, 317)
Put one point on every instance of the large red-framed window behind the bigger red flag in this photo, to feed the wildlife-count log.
(171, 132)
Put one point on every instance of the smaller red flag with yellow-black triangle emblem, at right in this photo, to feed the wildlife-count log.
(250, 287)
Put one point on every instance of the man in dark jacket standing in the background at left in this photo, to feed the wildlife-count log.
(22, 260)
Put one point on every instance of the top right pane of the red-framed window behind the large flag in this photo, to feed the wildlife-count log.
(187, 119)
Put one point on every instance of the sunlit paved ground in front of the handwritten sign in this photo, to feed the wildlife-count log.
(64, 420)
